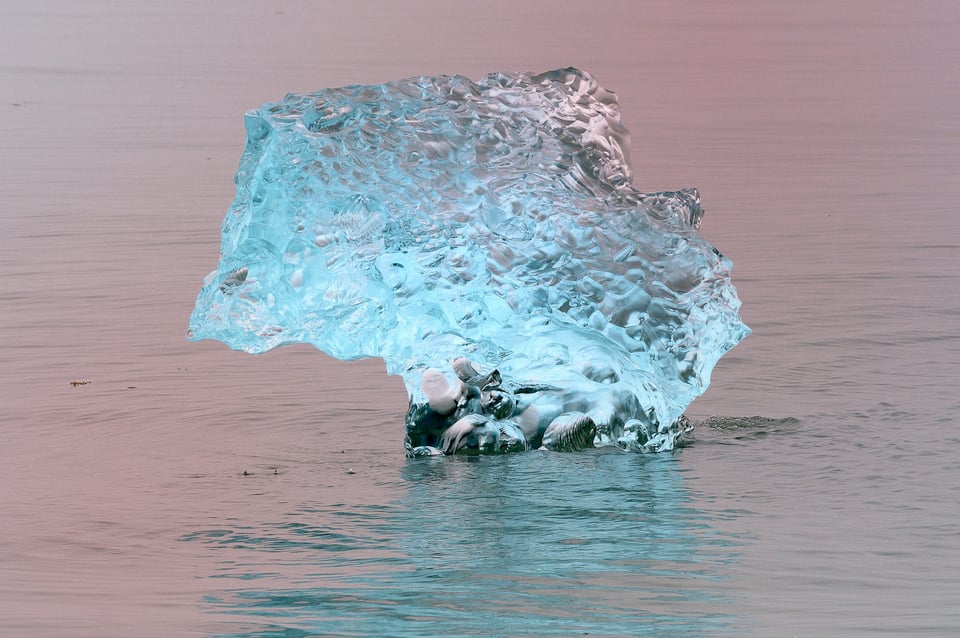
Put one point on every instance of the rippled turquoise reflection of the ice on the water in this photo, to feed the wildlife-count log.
(540, 544)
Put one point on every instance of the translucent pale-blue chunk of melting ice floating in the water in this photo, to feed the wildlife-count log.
(485, 240)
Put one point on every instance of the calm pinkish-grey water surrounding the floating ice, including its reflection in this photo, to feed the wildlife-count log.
(189, 490)
